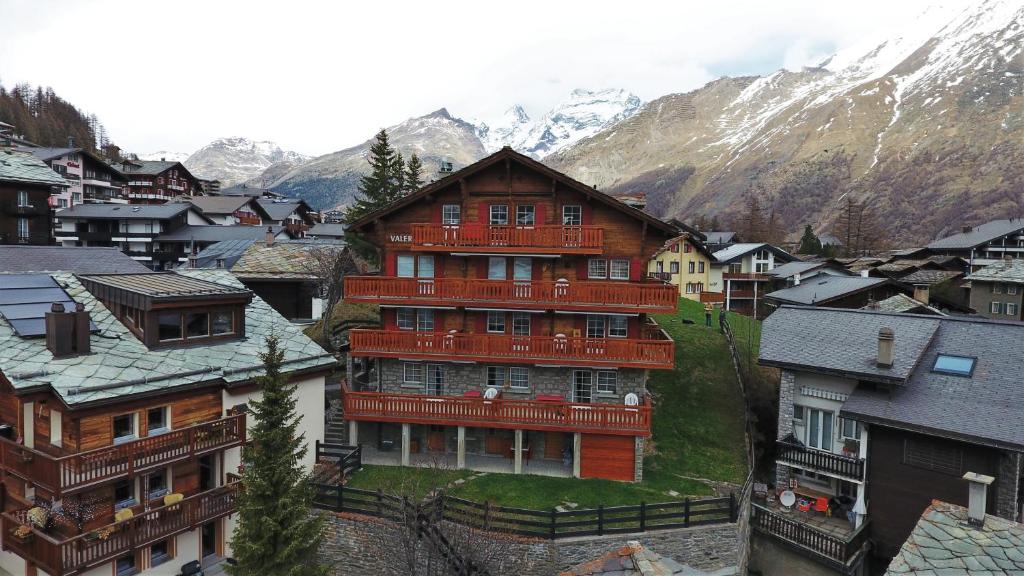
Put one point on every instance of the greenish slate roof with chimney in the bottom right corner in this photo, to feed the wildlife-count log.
(944, 543)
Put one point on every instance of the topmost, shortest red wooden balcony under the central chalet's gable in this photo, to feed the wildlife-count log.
(509, 239)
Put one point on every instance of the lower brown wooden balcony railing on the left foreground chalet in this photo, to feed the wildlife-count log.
(72, 555)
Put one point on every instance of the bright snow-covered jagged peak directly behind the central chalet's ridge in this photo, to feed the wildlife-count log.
(584, 114)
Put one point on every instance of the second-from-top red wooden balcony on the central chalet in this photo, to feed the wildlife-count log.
(583, 296)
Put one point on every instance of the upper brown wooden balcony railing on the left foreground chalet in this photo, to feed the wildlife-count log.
(63, 475)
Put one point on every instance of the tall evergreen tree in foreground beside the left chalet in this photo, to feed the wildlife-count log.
(276, 536)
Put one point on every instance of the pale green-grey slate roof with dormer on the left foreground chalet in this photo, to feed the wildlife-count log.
(121, 365)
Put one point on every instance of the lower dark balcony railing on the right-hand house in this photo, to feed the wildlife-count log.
(836, 552)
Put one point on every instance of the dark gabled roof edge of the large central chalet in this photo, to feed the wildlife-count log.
(501, 155)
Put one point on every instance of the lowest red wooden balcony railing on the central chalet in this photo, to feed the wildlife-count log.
(497, 414)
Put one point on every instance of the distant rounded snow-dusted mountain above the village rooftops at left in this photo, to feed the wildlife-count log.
(237, 160)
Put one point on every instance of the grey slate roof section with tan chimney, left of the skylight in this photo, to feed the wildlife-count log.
(844, 342)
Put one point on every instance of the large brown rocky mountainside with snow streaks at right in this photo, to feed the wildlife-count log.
(928, 128)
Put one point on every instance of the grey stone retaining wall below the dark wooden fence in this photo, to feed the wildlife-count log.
(359, 546)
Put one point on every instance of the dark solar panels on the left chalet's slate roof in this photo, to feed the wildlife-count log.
(26, 299)
